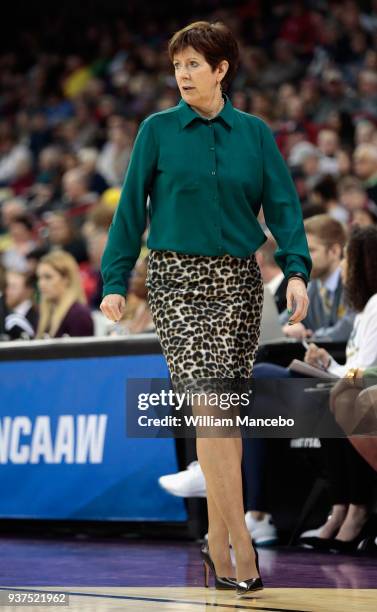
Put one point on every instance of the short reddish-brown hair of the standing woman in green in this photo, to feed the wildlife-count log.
(212, 40)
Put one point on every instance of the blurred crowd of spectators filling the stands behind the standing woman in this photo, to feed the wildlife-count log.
(70, 106)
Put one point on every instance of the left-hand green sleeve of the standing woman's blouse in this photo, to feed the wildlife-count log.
(129, 222)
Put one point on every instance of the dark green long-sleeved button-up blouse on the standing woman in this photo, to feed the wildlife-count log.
(206, 180)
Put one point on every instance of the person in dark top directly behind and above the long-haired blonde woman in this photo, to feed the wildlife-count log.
(62, 235)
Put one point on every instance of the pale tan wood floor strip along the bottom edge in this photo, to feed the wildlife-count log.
(190, 599)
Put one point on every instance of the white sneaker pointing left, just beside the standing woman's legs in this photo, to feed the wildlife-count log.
(188, 483)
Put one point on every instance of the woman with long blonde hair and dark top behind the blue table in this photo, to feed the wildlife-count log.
(62, 309)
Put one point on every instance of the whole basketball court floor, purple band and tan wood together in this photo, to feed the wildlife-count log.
(156, 576)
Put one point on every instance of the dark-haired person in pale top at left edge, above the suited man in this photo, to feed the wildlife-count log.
(22, 235)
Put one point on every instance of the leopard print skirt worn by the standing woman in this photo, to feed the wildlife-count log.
(207, 313)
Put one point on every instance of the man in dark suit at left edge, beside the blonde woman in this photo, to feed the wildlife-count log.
(22, 315)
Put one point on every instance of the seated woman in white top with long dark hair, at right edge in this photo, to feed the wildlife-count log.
(351, 478)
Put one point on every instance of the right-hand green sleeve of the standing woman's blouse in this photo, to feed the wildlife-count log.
(282, 209)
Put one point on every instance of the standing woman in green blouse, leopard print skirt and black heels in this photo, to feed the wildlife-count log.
(207, 167)
